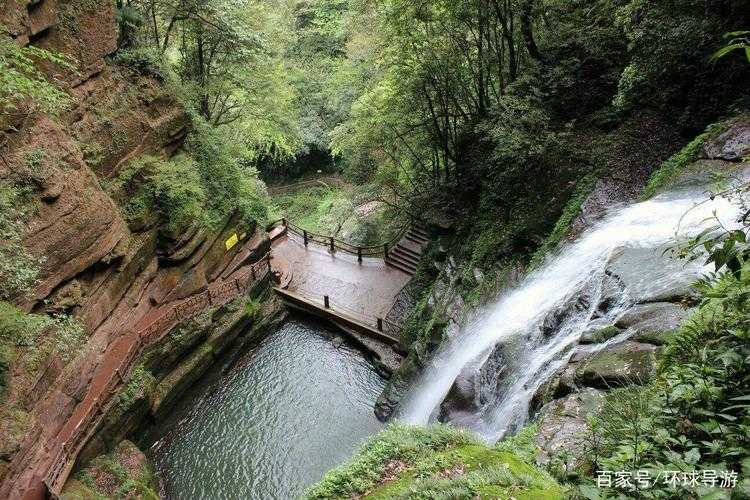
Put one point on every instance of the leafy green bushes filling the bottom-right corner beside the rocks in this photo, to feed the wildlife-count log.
(696, 415)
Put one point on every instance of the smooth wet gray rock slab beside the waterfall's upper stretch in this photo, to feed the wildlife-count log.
(649, 276)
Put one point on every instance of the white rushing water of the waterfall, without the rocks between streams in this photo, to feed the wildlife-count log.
(514, 321)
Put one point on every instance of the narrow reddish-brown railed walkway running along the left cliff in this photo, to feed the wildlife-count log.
(65, 453)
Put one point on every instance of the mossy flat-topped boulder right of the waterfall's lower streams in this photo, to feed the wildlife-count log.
(620, 365)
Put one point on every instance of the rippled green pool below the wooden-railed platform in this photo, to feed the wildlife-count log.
(289, 410)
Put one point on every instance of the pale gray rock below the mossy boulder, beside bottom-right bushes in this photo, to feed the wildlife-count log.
(563, 426)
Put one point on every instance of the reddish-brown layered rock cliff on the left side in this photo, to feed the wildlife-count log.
(95, 267)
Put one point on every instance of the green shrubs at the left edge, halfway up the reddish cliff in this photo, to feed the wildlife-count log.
(18, 269)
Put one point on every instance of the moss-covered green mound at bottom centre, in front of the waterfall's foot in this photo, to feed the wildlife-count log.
(436, 462)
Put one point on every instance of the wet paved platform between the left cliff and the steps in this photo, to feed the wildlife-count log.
(368, 289)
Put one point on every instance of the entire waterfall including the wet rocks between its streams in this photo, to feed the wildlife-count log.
(530, 332)
